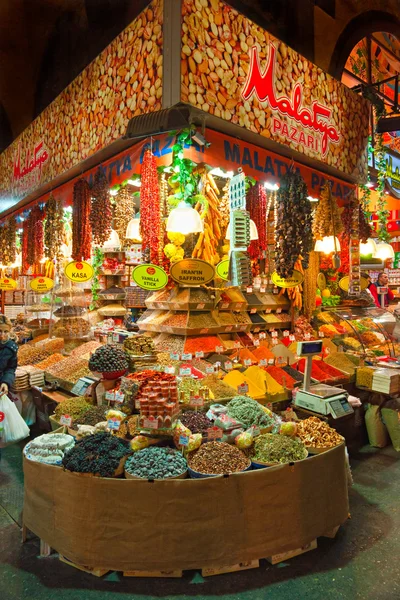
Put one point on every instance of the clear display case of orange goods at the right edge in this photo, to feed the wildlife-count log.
(362, 331)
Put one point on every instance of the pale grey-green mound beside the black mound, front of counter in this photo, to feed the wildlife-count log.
(156, 463)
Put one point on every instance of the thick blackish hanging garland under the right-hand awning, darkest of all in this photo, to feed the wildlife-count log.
(294, 224)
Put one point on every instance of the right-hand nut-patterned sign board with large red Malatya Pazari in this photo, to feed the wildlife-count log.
(237, 71)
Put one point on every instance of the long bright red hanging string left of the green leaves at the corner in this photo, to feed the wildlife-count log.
(150, 222)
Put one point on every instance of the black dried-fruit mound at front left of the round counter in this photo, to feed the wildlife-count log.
(99, 453)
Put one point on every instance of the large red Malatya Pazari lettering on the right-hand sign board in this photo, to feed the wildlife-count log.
(311, 127)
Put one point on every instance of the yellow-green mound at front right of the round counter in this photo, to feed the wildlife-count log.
(275, 448)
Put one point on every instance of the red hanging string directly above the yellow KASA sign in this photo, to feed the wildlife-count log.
(81, 227)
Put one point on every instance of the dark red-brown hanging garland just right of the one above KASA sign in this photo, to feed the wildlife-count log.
(101, 213)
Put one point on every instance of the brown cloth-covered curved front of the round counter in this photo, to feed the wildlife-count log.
(185, 524)
